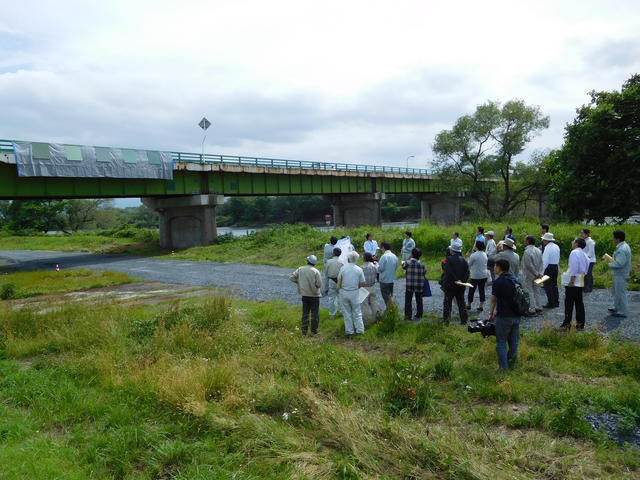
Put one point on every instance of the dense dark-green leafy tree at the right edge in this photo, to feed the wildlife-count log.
(597, 170)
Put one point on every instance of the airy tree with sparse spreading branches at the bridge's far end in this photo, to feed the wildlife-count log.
(480, 150)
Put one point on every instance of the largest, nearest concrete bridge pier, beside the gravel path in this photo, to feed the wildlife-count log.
(188, 221)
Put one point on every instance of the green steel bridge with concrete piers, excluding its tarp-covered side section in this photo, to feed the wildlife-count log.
(200, 181)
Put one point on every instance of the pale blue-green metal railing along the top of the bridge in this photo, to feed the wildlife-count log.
(7, 146)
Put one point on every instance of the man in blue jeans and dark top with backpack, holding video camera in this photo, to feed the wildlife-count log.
(503, 312)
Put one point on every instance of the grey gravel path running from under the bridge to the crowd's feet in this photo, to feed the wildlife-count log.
(260, 282)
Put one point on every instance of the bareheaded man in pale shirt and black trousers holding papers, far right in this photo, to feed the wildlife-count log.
(573, 281)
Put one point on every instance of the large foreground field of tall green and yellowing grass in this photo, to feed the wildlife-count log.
(218, 388)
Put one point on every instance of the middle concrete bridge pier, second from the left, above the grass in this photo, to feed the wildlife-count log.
(356, 209)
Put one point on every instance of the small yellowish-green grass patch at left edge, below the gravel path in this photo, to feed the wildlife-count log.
(29, 284)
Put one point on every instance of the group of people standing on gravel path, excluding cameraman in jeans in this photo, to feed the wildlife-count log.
(345, 283)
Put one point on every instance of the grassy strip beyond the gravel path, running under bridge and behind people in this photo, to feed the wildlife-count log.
(288, 245)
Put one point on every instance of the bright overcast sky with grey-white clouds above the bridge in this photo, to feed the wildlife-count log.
(350, 81)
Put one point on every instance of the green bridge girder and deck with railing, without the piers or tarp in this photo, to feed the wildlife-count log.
(225, 175)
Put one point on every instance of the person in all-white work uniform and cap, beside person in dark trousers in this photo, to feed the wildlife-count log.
(350, 279)
